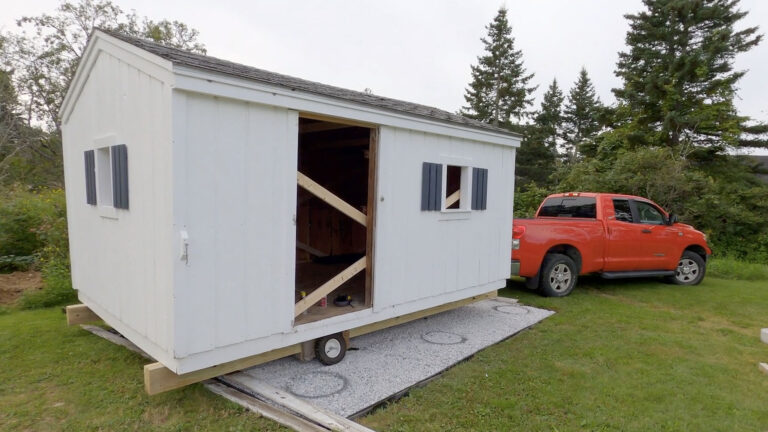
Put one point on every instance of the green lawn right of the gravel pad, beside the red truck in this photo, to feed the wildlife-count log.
(626, 356)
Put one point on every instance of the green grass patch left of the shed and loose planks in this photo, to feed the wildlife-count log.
(55, 377)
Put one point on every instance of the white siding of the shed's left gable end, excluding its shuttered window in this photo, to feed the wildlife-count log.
(121, 259)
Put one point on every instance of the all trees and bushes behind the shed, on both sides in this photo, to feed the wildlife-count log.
(671, 135)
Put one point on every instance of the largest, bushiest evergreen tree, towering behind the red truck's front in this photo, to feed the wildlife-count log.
(678, 74)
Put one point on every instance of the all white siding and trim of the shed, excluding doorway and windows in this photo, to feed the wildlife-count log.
(212, 162)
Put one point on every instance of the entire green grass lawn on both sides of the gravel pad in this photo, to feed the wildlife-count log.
(634, 355)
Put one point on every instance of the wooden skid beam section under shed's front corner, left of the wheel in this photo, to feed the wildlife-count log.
(158, 378)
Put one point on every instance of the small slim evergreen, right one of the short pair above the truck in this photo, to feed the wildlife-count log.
(581, 116)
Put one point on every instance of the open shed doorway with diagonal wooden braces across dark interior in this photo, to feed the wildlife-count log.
(334, 218)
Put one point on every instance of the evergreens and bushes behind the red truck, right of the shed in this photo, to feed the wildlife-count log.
(672, 135)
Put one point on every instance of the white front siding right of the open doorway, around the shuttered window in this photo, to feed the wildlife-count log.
(423, 254)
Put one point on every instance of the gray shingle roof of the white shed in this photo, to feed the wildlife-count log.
(213, 64)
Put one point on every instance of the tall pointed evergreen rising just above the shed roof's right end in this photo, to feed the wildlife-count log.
(499, 88)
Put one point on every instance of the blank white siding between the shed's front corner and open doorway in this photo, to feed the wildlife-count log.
(235, 195)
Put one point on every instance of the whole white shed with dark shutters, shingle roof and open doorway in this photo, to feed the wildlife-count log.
(212, 206)
